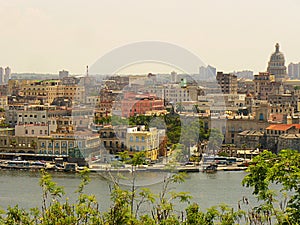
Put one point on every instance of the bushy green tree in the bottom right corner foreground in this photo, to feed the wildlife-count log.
(283, 169)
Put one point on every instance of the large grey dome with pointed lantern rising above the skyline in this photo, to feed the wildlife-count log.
(276, 65)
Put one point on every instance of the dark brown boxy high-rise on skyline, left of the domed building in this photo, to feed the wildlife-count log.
(227, 82)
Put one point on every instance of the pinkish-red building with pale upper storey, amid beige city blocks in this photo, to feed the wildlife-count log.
(136, 104)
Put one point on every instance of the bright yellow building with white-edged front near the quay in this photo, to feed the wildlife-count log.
(139, 139)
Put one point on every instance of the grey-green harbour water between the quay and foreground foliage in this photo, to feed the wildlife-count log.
(22, 187)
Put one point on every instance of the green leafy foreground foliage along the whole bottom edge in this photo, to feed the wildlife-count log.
(127, 203)
